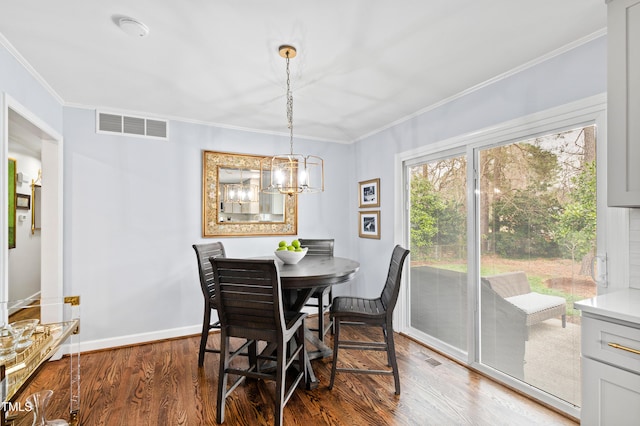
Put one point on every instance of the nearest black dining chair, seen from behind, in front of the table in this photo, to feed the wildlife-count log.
(249, 300)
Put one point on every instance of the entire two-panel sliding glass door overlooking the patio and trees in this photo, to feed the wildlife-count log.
(505, 293)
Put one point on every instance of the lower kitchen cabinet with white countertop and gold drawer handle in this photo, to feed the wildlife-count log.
(611, 359)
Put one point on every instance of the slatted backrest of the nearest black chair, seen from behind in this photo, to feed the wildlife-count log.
(249, 294)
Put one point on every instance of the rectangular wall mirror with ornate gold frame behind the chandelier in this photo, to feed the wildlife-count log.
(234, 206)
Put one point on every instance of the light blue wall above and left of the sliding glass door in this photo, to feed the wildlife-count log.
(576, 74)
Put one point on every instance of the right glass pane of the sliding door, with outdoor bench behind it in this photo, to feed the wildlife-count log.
(537, 215)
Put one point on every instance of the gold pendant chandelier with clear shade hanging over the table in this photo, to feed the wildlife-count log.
(291, 173)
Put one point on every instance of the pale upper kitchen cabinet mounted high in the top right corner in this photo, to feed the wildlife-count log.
(623, 103)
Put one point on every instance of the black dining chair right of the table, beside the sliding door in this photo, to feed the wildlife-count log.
(378, 312)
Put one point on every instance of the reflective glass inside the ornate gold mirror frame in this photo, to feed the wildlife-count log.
(242, 201)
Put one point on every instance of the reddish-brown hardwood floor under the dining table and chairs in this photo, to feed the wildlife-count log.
(160, 384)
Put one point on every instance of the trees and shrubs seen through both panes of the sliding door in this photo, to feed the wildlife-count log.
(538, 201)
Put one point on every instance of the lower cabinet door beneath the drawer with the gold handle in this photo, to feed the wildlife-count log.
(610, 395)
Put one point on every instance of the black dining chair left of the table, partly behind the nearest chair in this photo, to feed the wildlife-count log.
(203, 253)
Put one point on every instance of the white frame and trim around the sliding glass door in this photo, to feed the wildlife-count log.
(613, 223)
